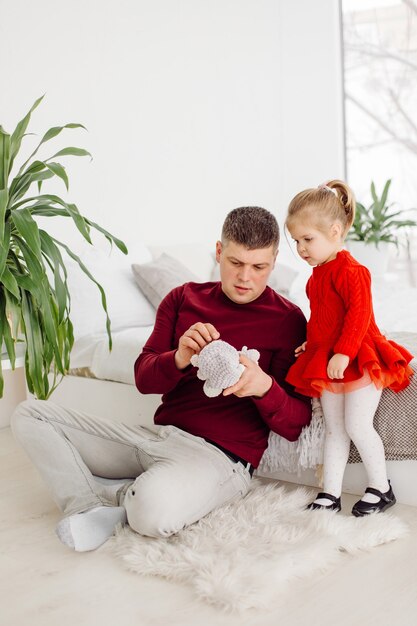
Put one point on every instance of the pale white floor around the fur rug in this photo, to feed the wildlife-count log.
(42, 583)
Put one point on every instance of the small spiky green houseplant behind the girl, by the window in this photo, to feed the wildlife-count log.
(378, 222)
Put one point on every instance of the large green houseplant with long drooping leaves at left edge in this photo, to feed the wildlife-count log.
(35, 302)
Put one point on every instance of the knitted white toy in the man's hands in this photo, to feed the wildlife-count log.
(218, 364)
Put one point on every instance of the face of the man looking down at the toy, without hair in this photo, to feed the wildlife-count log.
(244, 273)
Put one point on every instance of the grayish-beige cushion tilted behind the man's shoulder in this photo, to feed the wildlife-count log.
(158, 278)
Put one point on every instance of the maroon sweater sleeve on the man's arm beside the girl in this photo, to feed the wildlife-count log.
(284, 411)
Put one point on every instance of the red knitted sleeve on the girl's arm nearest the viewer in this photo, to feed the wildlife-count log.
(354, 287)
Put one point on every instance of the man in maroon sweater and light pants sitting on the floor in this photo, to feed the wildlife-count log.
(207, 448)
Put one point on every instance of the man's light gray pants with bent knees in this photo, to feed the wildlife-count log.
(165, 480)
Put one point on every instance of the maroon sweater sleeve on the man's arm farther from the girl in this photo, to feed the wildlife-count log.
(155, 369)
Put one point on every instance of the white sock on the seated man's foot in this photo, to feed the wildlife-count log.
(87, 531)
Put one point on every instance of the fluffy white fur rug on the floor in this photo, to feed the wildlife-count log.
(241, 555)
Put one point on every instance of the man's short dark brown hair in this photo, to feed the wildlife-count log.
(251, 227)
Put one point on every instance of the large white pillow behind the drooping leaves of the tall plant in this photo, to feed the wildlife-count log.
(126, 305)
